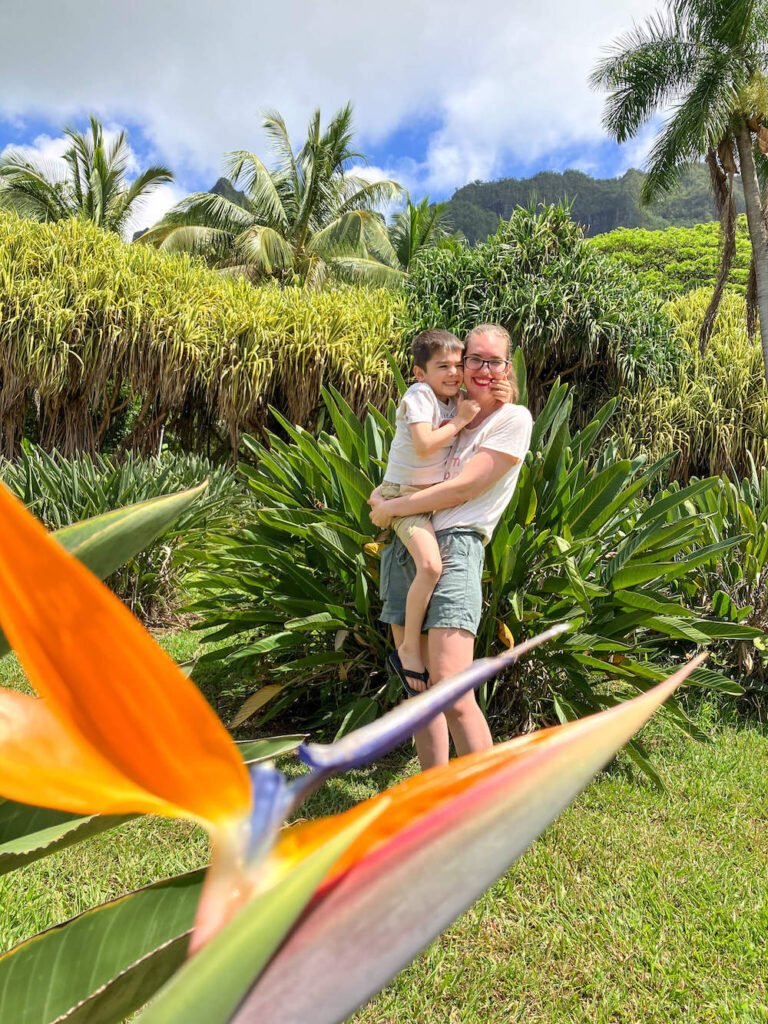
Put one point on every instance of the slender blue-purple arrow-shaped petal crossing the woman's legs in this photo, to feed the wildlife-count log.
(379, 738)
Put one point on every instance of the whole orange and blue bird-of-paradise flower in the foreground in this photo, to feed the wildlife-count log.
(292, 924)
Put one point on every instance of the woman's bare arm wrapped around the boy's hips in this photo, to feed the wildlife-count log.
(482, 473)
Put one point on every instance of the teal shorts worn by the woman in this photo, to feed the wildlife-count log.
(457, 602)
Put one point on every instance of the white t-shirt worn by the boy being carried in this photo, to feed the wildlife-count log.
(419, 405)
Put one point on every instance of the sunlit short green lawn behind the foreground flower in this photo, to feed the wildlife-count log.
(635, 907)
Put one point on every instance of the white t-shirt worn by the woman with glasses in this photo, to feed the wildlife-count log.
(508, 431)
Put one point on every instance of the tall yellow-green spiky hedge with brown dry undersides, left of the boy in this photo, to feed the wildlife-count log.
(91, 327)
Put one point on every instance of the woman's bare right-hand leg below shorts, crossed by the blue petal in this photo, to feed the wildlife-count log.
(450, 652)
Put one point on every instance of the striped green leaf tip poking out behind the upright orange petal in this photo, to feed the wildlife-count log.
(106, 542)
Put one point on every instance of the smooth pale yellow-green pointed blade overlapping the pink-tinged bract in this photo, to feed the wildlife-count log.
(211, 986)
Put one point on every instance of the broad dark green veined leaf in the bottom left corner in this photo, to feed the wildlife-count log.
(105, 964)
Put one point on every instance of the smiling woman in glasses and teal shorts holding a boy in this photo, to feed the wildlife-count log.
(482, 475)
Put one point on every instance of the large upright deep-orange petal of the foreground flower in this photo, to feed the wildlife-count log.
(108, 684)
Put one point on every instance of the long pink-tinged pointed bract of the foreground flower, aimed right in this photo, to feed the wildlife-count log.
(369, 921)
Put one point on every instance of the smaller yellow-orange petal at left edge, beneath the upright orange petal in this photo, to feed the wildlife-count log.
(41, 764)
